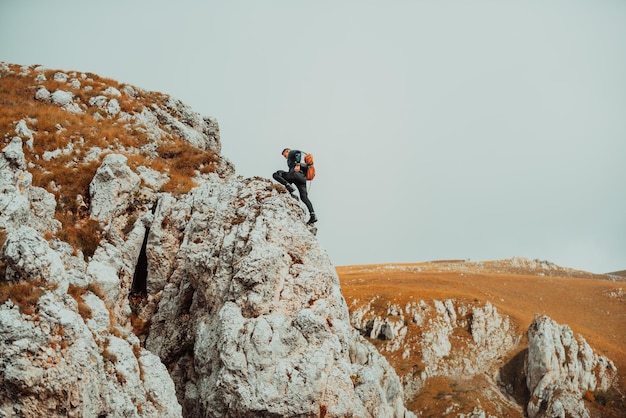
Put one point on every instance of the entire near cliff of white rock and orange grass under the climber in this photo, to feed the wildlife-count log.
(127, 291)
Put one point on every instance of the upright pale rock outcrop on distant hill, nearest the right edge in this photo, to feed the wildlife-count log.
(561, 367)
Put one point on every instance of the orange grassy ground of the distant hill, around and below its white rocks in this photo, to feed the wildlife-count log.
(594, 306)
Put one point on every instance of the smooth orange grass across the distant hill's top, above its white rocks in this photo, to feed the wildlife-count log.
(581, 302)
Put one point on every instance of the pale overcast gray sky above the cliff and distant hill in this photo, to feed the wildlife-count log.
(473, 130)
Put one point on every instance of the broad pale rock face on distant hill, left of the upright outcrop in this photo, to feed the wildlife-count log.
(448, 346)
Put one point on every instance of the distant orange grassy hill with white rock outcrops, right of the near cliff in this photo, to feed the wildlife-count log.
(476, 339)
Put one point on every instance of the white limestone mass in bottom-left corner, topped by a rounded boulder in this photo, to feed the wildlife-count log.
(53, 363)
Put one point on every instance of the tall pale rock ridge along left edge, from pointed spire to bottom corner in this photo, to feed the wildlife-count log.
(62, 356)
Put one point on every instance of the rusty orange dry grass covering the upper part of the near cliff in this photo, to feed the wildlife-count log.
(68, 175)
